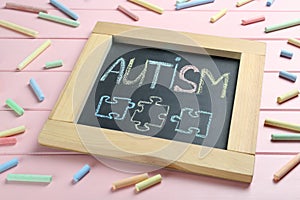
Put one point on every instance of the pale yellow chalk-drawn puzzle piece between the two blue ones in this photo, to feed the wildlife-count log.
(150, 114)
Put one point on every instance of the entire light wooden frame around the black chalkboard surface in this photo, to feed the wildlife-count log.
(235, 163)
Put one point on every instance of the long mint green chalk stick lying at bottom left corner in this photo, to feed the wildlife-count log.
(29, 178)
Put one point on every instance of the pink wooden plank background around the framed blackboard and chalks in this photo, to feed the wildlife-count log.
(67, 43)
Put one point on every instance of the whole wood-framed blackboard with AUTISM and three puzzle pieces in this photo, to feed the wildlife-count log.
(187, 111)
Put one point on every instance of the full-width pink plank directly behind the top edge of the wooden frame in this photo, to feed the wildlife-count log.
(150, 19)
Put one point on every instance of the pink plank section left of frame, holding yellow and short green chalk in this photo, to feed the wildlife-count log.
(15, 51)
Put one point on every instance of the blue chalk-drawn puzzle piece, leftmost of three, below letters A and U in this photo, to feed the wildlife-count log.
(115, 109)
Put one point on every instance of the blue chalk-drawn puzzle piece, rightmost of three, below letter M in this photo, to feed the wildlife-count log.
(188, 122)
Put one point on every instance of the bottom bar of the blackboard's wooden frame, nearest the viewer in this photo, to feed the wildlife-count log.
(130, 147)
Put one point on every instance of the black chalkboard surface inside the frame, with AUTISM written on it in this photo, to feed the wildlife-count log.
(161, 93)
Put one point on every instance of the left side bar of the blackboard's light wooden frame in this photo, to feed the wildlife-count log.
(92, 55)
